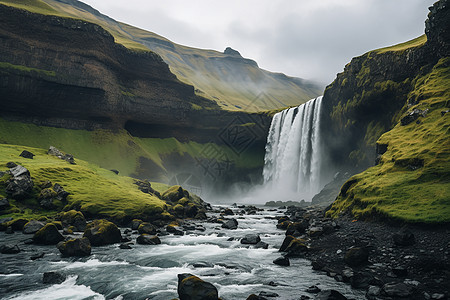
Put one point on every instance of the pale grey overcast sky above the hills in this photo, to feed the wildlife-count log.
(311, 39)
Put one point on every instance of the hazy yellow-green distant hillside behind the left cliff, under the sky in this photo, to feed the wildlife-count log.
(233, 82)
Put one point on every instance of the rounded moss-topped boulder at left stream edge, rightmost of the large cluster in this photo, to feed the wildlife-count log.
(102, 232)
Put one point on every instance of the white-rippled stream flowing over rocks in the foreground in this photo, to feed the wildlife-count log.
(151, 271)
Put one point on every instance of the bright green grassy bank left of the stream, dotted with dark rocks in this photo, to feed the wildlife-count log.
(94, 191)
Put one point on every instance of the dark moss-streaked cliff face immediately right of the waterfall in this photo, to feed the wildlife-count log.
(366, 99)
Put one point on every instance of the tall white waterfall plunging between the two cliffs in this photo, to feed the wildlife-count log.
(292, 161)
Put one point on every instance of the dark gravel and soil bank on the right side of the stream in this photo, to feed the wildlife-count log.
(423, 267)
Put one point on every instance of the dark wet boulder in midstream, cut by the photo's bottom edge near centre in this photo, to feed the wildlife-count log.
(191, 287)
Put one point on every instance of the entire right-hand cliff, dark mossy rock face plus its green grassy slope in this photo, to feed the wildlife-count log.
(391, 105)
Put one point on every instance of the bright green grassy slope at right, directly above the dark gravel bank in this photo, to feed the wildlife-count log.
(396, 191)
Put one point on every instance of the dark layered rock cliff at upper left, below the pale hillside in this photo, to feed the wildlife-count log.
(70, 73)
